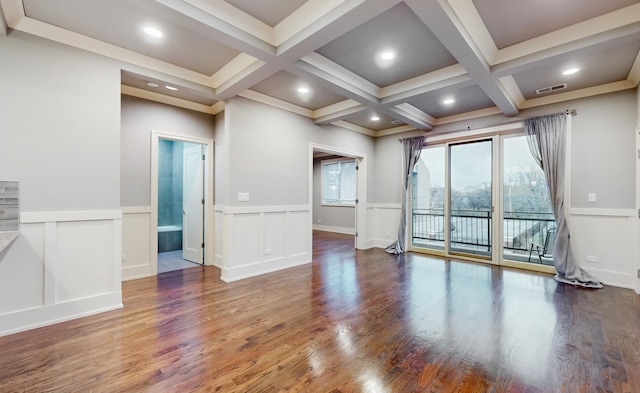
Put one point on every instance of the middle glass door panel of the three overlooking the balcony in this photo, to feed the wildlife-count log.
(470, 204)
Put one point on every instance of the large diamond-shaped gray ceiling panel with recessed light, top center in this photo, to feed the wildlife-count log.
(400, 30)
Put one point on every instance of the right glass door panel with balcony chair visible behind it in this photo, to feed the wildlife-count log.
(528, 222)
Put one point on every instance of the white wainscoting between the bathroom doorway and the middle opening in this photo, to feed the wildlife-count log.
(260, 240)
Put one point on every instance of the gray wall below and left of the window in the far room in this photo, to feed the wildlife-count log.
(339, 219)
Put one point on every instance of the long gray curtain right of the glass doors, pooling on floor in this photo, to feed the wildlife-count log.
(547, 141)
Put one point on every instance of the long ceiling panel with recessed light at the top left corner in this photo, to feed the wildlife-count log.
(121, 23)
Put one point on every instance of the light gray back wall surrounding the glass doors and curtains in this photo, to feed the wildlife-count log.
(602, 162)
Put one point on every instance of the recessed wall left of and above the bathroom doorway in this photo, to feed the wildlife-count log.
(138, 119)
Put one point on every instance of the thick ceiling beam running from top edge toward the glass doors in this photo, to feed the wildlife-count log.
(447, 26)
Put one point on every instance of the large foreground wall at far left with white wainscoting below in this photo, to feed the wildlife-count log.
(60, 109)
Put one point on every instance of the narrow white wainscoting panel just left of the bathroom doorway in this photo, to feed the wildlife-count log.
(136, 243)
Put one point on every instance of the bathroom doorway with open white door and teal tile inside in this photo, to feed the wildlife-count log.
(181, 202)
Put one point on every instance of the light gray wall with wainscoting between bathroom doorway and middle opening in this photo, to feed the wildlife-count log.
(268, 159)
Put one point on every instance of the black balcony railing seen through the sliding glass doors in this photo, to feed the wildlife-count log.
(472, 228)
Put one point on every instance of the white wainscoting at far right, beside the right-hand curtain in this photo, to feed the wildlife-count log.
(608, 235)
